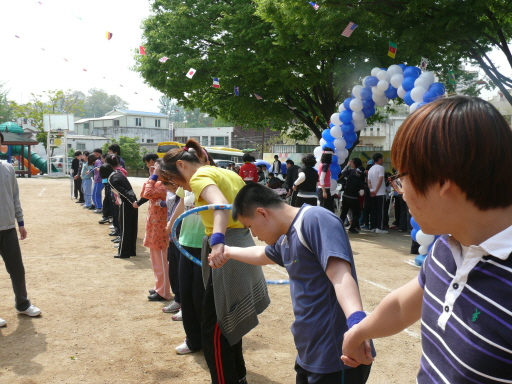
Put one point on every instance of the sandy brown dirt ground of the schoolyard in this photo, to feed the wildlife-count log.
(98, 326)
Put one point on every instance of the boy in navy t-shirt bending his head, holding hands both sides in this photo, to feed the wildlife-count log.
(312, 245)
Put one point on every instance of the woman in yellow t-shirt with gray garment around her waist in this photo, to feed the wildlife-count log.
(234, 296)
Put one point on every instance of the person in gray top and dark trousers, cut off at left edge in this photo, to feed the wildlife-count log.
(10, 213)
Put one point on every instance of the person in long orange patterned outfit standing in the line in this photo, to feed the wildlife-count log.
(156, 237)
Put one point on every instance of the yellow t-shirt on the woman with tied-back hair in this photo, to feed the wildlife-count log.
(229, 184)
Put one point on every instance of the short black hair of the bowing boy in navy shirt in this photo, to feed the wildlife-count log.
(252, 196)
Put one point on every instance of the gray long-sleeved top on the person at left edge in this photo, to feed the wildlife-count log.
(10, 206)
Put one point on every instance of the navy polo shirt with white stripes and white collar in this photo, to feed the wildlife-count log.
(466, 320)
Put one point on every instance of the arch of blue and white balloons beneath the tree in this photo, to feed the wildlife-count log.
(415, 87)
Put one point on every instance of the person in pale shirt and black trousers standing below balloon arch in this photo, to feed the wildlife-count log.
(377, 186)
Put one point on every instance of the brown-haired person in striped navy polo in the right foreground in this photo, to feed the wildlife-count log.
(446, 155)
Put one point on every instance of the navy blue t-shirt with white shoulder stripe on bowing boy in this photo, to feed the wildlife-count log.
(315, 235)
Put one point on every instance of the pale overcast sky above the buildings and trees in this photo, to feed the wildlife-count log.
(75, 30)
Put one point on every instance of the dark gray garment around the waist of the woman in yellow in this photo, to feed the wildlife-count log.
(240, 289)
